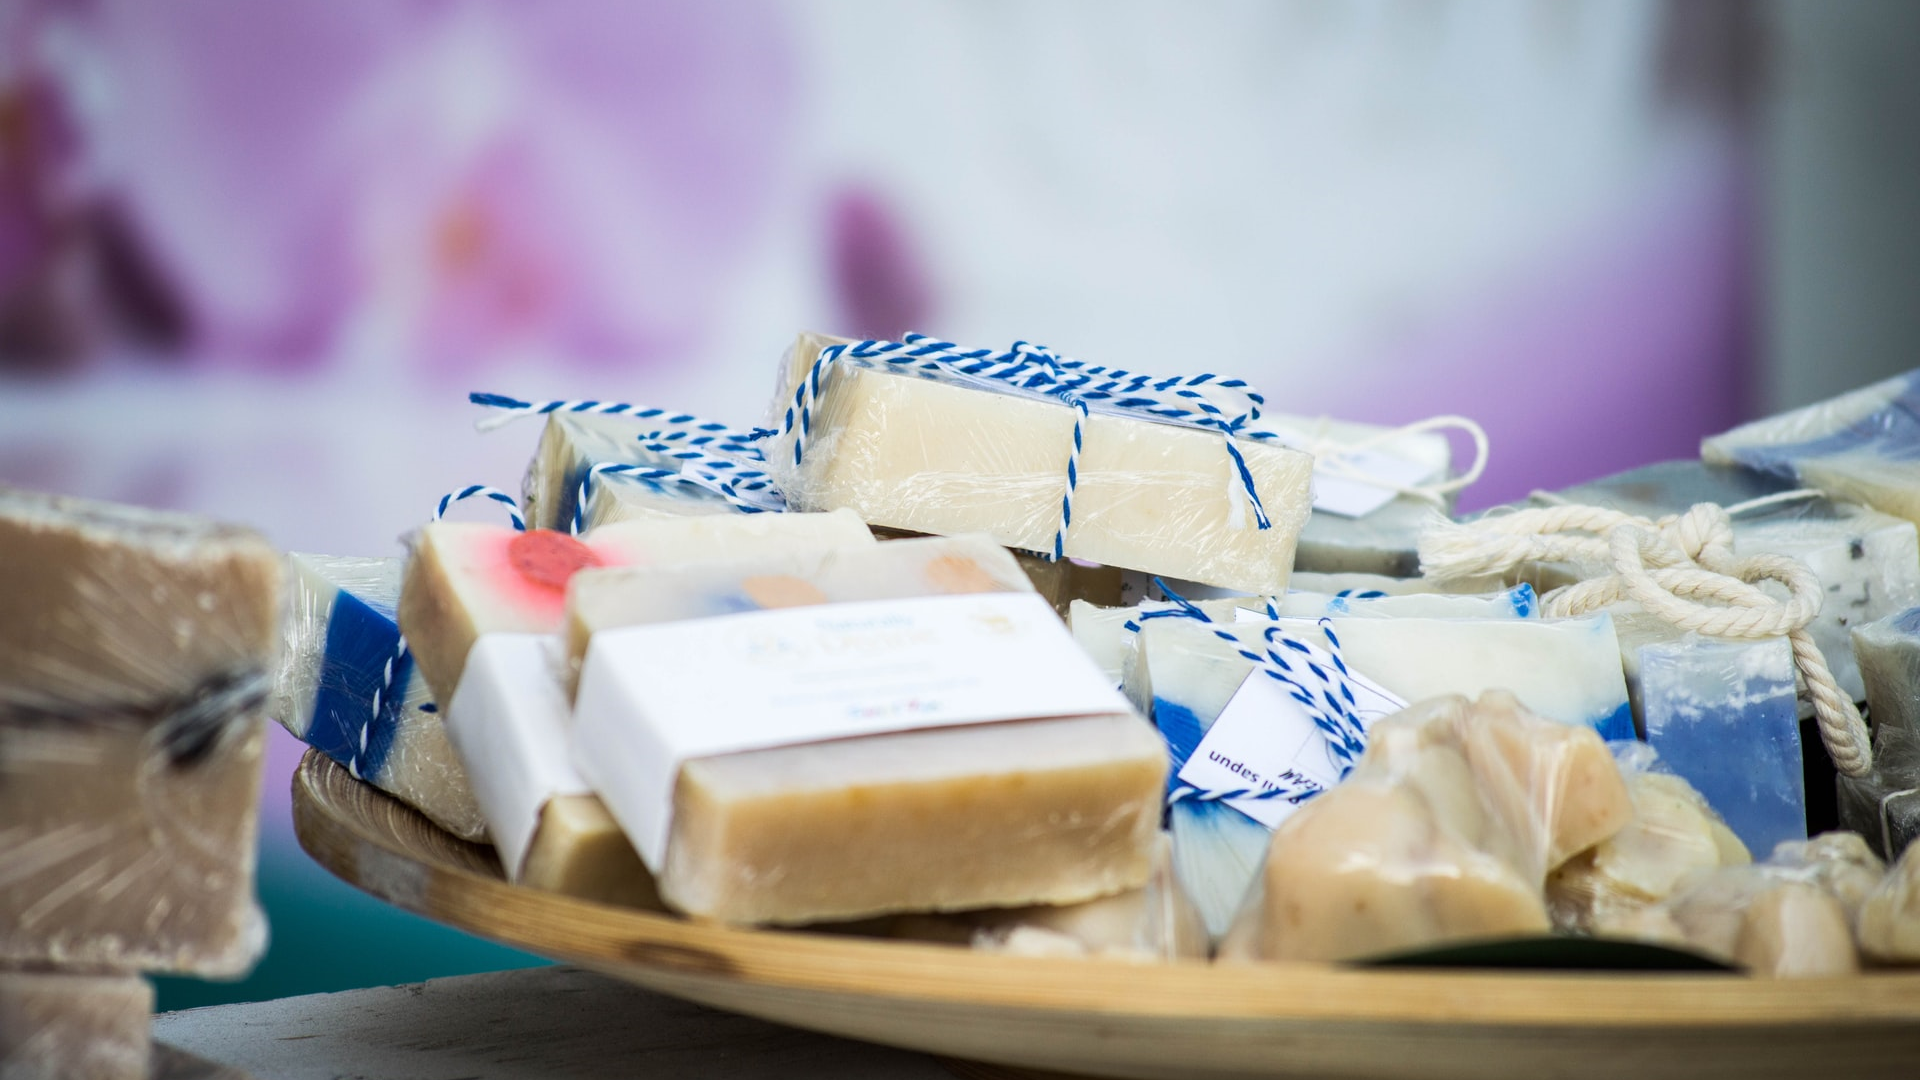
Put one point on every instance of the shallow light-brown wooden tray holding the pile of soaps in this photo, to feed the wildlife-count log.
(1090, 1018)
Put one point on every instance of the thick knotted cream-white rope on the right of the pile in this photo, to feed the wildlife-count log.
(1681, 570)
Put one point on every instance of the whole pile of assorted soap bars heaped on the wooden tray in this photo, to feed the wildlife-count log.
(1038, 656)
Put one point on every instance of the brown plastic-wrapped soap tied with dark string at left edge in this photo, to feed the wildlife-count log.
(133, 672)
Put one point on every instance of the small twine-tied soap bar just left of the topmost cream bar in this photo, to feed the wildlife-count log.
(573, 443)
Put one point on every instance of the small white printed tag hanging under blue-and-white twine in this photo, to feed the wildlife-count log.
(1264, 739)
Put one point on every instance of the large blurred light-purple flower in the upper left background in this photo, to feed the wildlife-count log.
(441, 184)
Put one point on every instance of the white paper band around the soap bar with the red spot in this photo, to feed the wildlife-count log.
(510, 724)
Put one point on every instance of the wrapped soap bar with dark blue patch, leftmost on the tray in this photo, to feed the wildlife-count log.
(341, 658)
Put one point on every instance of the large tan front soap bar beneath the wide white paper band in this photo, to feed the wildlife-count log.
(876, 823)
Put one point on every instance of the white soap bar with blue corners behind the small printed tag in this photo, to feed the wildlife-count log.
(1570, 672)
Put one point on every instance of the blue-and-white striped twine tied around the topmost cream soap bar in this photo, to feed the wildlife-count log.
(1038, 370)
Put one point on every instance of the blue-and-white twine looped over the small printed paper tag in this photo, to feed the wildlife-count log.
(1330, 704)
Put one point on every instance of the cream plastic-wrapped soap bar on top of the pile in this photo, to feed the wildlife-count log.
(949, 458)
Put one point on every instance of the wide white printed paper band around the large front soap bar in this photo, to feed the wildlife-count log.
(658, 697)
